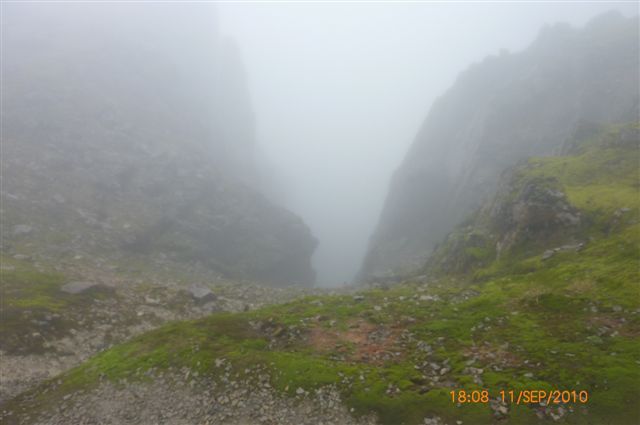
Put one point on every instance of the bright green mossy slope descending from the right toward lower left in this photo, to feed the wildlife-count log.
(570, 322)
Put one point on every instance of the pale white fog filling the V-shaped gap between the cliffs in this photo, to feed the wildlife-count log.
(340, 90)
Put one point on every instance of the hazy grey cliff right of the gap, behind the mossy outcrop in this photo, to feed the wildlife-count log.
(499, 111)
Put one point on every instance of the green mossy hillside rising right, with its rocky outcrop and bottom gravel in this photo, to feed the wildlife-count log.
(522, 320)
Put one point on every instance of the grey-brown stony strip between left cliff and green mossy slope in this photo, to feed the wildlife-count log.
(133, 310)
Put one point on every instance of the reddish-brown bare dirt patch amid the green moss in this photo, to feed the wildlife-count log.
(362, 342)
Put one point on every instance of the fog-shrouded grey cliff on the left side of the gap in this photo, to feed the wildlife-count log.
(137, 144)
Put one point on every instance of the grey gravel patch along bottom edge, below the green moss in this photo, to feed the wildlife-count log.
(179, 397)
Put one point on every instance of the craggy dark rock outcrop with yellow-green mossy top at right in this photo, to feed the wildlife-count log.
(531, 213)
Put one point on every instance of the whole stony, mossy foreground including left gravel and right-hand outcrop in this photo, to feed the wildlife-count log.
(545, 314)
